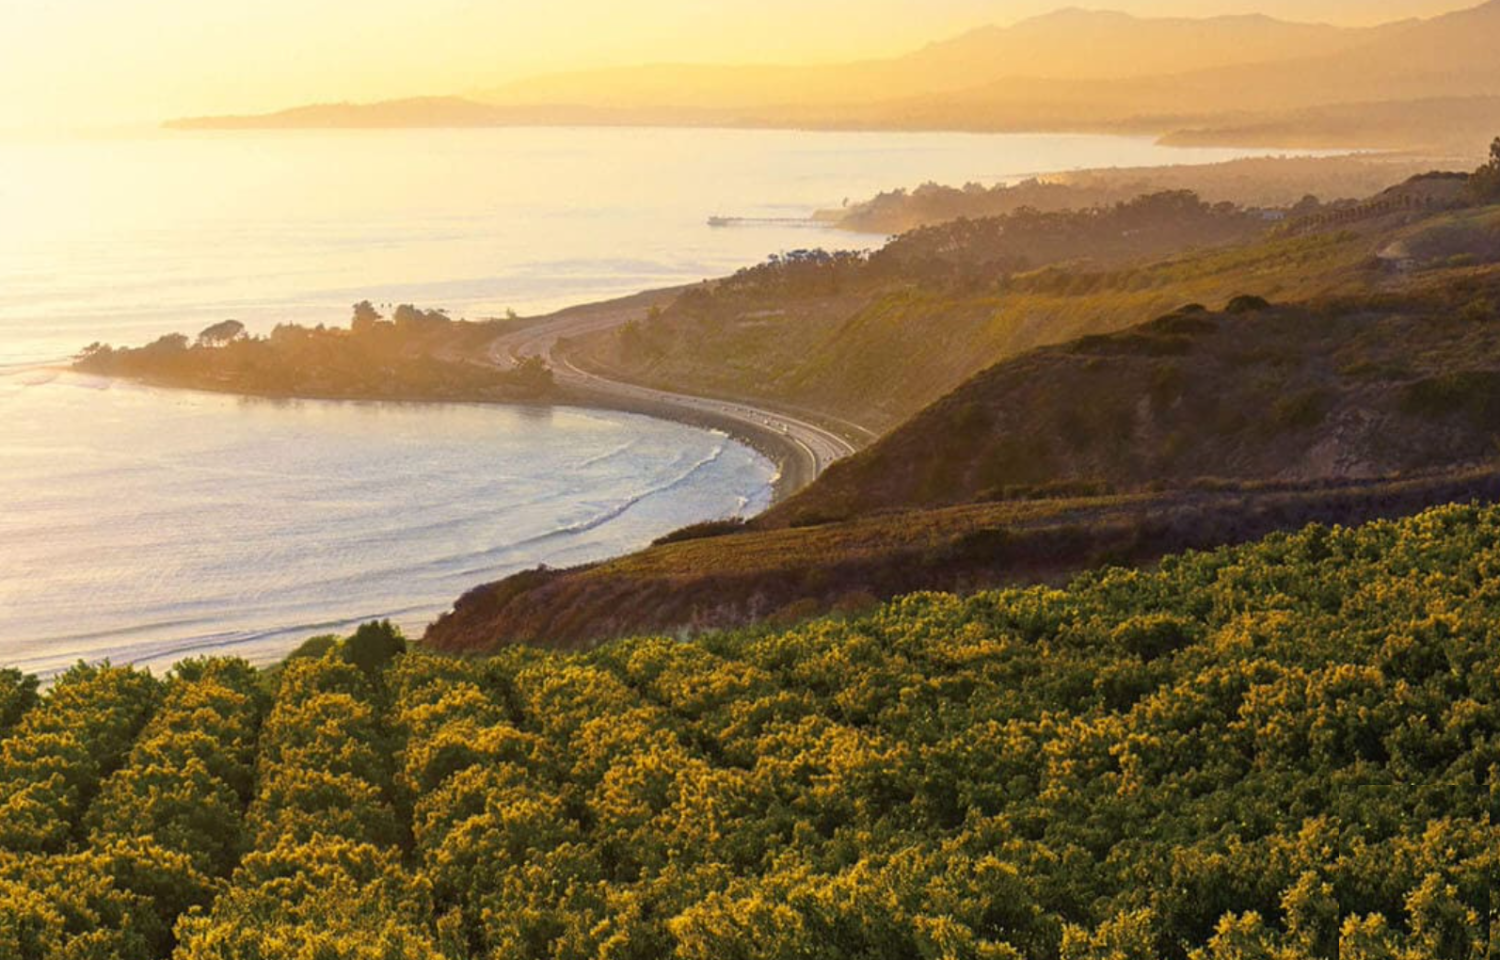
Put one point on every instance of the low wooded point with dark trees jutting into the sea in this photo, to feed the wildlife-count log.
(412, 356)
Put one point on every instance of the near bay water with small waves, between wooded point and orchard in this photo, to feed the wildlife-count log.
(167, 524)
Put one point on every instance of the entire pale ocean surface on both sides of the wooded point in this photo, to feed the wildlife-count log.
(146, 526)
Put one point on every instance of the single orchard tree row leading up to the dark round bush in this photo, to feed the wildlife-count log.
(326, 875)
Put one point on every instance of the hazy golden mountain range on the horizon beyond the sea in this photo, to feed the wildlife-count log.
(1430, 83)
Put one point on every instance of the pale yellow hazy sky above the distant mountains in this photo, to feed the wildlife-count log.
(88, 62)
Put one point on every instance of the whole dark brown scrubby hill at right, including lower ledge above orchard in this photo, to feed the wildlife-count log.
(1375, 398)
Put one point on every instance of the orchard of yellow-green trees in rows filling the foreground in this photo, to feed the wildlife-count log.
(1280, 751)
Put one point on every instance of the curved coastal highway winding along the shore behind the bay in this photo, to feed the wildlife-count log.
(803, 449)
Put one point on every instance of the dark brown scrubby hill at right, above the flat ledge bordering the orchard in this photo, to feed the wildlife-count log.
(1348, 388)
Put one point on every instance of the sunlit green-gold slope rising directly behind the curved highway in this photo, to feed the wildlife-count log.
(940, 305)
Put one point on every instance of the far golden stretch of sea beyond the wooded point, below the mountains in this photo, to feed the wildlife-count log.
(122, 241)
